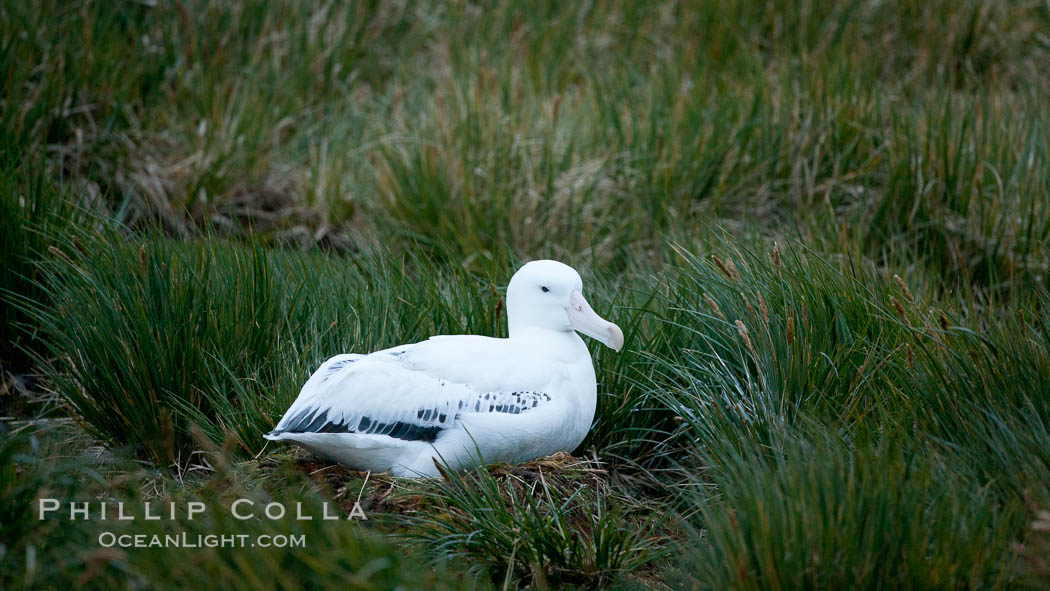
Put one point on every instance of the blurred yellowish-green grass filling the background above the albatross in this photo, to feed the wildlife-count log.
(913, 132)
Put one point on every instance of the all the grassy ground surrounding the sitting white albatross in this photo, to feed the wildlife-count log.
(825, 228)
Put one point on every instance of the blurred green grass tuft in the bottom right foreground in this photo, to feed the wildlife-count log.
(817, 514)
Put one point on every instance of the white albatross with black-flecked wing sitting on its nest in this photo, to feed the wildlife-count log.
(451, 398)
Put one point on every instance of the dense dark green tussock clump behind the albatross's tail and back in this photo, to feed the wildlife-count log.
(146, 340)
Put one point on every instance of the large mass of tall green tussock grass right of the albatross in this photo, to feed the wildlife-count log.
(906, 421)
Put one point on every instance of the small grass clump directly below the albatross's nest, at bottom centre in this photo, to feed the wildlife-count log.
(552, 522)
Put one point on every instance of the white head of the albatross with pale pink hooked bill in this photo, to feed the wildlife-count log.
(548, 294)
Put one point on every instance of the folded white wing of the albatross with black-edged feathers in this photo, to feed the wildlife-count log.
(388, 408)
